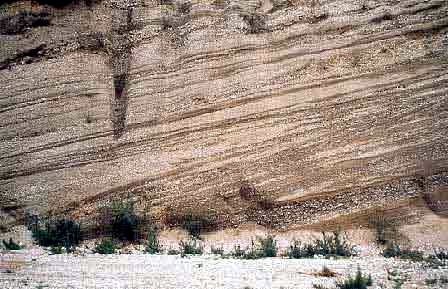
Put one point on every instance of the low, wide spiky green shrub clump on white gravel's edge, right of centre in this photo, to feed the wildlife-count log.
(329, 245)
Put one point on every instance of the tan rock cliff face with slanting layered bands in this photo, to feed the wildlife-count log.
(180, 103)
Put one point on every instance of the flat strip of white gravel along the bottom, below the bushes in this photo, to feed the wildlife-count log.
(34, 268)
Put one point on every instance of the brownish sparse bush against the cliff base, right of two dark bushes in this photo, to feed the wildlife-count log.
(193, 221)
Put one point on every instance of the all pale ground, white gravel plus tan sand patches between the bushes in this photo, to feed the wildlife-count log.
(34, 266)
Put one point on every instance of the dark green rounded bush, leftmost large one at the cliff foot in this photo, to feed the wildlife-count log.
(61, 232)
